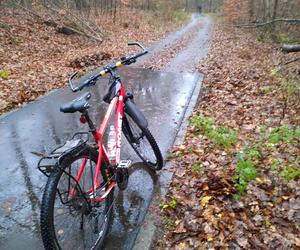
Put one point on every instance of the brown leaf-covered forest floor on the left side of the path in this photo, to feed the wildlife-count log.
(35, 58)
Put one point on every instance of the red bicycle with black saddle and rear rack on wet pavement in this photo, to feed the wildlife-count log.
(78, 197)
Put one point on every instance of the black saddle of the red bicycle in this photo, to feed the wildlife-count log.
(80, 104)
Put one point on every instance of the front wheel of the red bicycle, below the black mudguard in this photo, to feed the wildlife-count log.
(131, 129)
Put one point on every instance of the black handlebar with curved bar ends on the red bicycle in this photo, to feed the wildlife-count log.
(109, 68)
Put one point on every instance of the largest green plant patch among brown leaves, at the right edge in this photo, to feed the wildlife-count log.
(278, 141)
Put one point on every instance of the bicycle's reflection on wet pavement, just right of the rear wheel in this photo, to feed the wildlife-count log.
(131, 206)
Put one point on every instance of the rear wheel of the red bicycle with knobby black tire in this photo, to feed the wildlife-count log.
(69, 220)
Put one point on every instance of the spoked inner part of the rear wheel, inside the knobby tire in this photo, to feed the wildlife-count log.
(77, 223)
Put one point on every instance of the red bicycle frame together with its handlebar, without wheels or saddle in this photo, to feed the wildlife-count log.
(117, 103)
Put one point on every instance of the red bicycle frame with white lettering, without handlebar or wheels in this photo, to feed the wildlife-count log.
(116, 104)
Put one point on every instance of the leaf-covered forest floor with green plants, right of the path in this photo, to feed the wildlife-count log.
(236, 181)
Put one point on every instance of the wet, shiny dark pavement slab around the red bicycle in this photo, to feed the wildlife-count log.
(39, 127)
